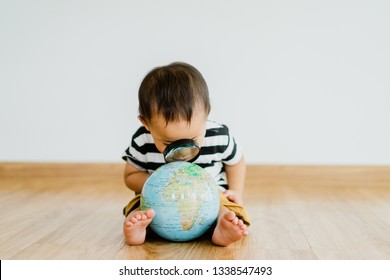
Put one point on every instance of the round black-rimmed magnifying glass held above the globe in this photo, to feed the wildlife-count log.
(182, 150)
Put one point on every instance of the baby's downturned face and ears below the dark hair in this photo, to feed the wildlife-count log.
(164, 134)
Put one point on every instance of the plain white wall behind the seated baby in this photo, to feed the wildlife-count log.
(299, 82)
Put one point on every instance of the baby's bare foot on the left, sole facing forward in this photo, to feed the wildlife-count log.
(134, 226)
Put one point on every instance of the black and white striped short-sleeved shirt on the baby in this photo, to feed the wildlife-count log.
(219, 148)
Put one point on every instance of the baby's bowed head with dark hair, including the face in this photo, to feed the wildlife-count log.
(174, 104)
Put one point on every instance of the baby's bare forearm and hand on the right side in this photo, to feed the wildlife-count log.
(236, 179)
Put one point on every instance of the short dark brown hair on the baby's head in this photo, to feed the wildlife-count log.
(173, 91)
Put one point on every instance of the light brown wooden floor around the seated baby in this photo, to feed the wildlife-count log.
(73, 211)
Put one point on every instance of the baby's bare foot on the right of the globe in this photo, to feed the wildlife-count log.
(229, 229)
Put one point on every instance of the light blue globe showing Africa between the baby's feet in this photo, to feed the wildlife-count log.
(185, 199)
